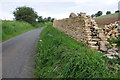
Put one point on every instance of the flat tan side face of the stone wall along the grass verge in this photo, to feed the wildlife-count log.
(75, 31)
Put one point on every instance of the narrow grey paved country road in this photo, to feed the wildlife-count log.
(18, 55)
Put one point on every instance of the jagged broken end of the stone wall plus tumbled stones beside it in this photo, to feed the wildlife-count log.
(97, 37)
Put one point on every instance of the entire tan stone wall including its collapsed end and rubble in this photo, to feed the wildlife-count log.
(84, 29)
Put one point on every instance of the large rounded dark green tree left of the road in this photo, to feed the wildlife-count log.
(25, 14)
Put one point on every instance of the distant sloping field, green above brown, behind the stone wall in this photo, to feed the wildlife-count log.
(107, 19)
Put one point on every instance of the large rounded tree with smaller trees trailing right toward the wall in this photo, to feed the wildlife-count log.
(28, 14)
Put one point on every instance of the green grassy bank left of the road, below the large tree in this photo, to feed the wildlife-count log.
(14, 28)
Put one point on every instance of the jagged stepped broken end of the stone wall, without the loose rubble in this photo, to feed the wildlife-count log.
(91, 31)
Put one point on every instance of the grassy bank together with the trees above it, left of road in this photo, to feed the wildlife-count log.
(25, 19)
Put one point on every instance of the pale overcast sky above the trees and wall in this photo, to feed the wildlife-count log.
(57, 8)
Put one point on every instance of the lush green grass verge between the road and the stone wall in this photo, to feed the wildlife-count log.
(59, 56)
